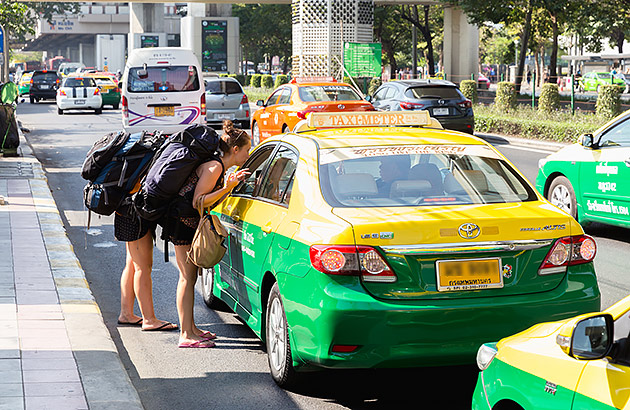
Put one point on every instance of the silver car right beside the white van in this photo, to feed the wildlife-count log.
(225, 99)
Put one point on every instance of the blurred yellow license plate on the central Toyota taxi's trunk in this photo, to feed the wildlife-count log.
(469, 274)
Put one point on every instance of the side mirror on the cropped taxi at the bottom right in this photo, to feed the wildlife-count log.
(588, 338)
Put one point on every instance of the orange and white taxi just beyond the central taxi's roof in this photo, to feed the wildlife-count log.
(290, 103)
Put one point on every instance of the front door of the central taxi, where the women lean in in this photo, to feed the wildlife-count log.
(232, 217)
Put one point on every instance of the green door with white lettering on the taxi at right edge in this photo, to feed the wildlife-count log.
(605, 195)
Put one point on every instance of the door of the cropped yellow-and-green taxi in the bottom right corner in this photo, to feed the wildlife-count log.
(604, 383)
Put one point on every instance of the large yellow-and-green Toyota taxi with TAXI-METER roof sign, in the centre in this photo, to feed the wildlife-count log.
(373, 239)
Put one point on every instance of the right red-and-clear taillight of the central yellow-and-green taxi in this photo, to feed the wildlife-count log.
(567, 251)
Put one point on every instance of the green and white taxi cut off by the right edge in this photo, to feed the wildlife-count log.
(588, 180)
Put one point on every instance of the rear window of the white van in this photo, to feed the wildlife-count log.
(163, 79)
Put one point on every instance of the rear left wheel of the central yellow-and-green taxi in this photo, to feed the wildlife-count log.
(277, 341)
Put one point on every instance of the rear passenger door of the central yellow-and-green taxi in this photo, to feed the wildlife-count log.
(262, 214)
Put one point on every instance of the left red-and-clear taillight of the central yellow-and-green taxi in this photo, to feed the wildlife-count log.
(351, 260)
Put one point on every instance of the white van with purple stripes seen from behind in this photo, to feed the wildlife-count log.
(162, 89)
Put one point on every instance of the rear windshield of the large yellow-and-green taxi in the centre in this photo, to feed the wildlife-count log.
(419, 175)
